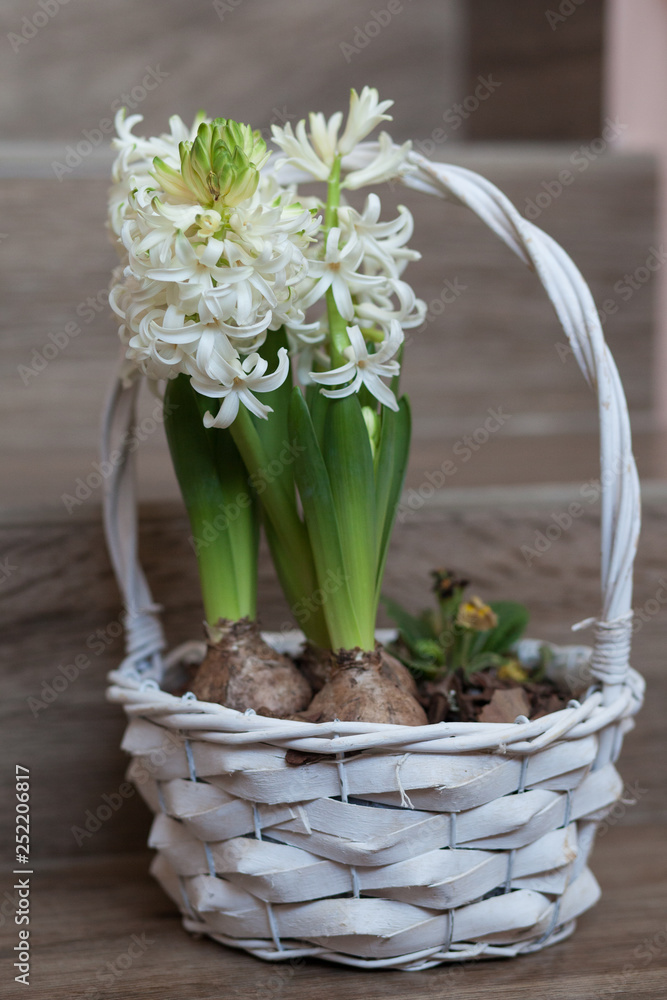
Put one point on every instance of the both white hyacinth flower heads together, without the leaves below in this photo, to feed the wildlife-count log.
(216, 254)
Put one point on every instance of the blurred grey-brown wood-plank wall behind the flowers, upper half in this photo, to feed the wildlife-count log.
(511, 88)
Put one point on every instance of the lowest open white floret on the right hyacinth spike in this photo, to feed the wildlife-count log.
(364, 368)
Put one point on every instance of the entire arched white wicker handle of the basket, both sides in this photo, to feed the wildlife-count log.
(575, 308)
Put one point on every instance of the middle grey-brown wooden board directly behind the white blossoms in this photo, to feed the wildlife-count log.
(496, 345)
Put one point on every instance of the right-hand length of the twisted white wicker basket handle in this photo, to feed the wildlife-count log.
(575, 308)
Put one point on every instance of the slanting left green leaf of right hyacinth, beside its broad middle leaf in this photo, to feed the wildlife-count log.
(319, 511)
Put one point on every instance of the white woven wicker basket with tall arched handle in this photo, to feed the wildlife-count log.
(389, 846)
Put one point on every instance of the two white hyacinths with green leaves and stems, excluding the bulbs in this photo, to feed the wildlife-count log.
(275, 321)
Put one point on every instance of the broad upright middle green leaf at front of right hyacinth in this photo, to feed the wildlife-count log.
(349, 461)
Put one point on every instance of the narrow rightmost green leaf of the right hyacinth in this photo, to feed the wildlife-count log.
(391, 463)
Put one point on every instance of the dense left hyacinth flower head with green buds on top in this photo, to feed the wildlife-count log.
(205, 281)
